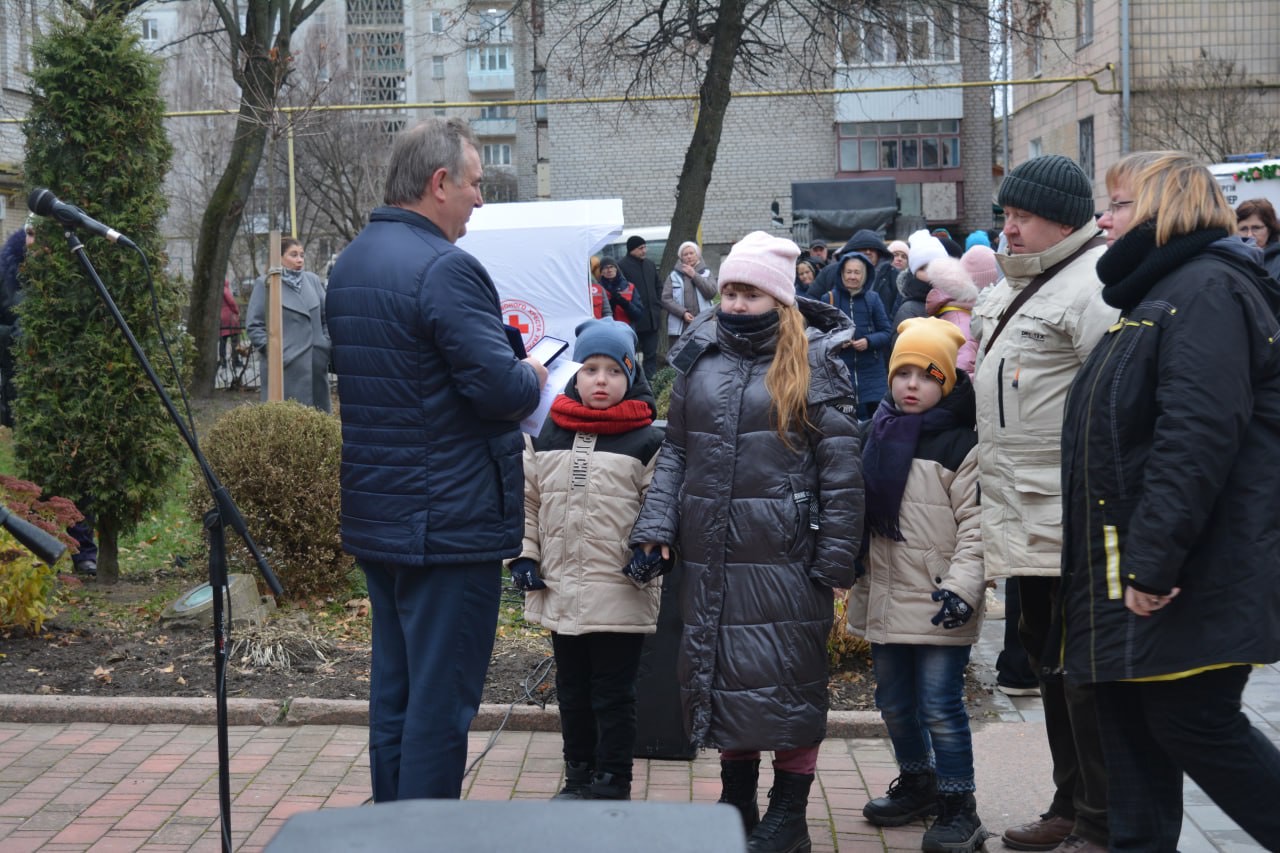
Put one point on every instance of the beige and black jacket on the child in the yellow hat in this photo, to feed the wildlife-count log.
(941, 522)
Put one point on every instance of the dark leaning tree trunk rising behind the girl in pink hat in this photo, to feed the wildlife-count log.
(714, 99)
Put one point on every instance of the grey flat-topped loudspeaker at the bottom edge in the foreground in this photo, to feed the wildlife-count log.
(452, 827)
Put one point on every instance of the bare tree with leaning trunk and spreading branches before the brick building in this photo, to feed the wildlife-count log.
(644, 48)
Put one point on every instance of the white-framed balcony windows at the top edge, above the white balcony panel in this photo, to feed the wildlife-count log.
(926, 35)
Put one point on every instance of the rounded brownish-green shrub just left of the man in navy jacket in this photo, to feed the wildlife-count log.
(280, 462)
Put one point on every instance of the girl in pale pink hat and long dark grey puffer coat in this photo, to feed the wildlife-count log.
(760, 486)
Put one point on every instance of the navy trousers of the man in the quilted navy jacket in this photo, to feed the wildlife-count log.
(433, 637)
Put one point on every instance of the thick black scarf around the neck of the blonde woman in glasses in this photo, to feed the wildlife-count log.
(1135, 264)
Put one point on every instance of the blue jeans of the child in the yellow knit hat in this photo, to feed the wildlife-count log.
(920, 691)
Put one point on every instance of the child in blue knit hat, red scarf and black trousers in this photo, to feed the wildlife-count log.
(586, 476)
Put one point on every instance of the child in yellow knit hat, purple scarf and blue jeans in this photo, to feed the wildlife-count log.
(920, 603)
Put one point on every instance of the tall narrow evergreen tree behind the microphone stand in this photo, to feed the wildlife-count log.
(89, 423)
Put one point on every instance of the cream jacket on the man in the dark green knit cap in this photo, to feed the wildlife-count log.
(1022, 387)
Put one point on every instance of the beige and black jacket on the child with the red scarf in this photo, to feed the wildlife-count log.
(580, 503)
